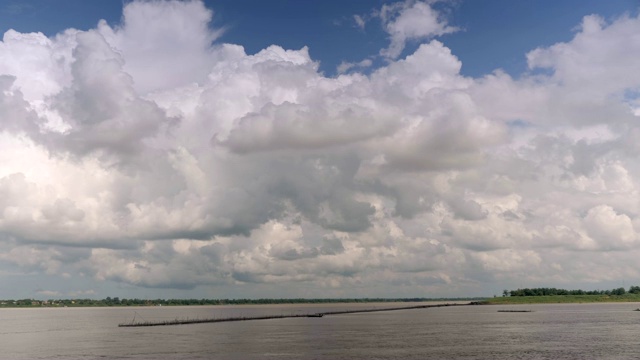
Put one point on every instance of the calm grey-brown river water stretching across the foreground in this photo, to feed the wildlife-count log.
(575, 331)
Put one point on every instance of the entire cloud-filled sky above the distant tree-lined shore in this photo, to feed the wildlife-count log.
(251, 149)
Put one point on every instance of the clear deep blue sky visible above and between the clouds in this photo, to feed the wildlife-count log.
(494, 34)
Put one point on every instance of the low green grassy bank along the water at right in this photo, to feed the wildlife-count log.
(561, 299)
